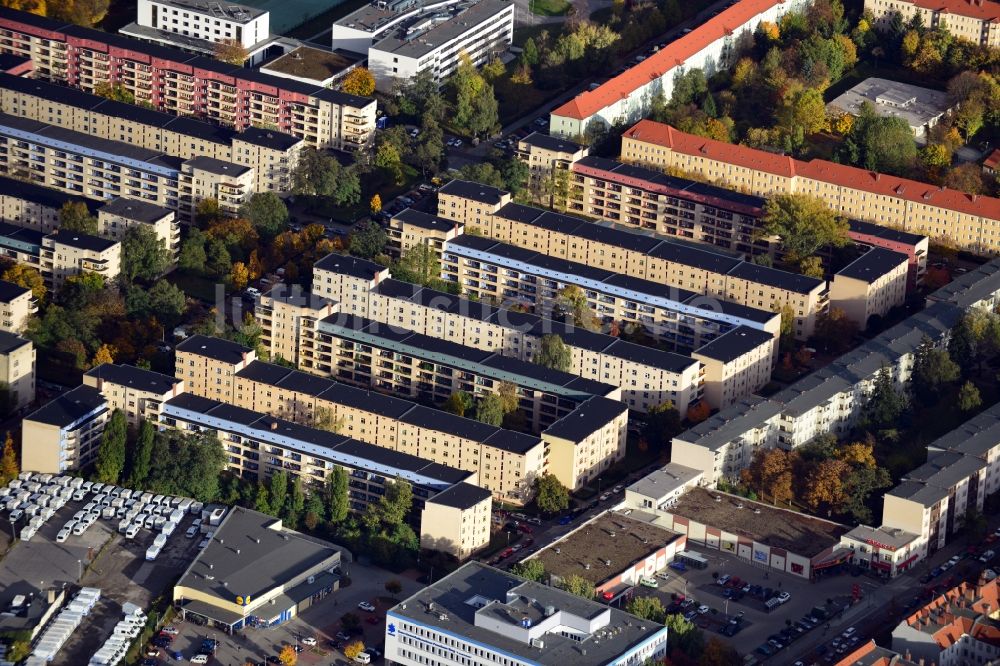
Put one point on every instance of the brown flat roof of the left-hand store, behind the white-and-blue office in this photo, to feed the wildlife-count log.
(593, 544)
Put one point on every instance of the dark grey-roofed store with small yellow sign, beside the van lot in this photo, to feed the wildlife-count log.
(255, 572)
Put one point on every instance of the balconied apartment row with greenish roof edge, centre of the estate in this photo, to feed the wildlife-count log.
(384, 358)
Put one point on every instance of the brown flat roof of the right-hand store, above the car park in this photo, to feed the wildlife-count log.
(795, 532)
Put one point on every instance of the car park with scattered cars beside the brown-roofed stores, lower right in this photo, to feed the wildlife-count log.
(756, 623)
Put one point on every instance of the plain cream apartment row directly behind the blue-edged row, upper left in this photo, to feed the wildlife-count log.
(271, 154)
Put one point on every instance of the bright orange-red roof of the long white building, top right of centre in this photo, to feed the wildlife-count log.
(673, 55)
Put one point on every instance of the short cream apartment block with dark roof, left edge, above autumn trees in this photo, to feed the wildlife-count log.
(61, 254)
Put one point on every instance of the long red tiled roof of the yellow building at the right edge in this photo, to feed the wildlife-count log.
(816, 169)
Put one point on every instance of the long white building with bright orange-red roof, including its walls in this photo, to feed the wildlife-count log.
(710, 47)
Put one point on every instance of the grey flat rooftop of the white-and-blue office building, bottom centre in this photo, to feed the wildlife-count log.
(479, 593)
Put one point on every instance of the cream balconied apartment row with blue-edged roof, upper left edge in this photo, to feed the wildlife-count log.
(85, 165)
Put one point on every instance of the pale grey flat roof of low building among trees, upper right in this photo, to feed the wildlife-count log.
(916, 105)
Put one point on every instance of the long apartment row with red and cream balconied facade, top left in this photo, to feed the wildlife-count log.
(188, 85)
